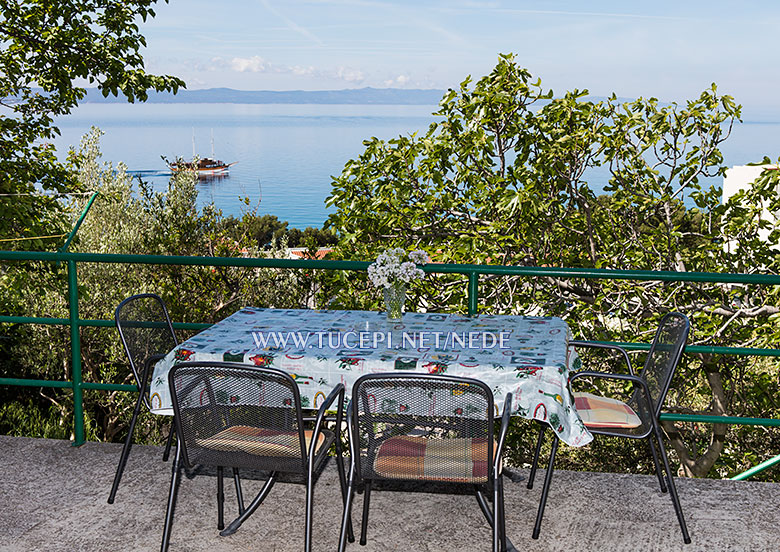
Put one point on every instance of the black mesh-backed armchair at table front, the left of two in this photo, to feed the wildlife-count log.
(246, 417)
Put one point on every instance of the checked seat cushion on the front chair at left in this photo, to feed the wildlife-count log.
(259, 441)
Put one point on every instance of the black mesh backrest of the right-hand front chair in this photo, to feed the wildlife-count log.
(430, 422)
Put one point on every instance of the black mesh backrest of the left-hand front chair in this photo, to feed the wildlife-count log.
(235, 415)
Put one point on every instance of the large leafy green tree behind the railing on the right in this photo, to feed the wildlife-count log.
(506, 176)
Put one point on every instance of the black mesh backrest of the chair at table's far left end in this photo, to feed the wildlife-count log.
(145, 330)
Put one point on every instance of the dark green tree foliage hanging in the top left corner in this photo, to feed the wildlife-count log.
(48, 50)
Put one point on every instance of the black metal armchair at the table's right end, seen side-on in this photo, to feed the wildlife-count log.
(638, 418)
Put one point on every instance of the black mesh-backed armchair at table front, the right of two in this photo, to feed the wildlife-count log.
(426, 428)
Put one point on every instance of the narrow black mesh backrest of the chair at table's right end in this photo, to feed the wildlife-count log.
(664, 355)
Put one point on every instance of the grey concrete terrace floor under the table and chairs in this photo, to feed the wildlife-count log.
(53, 497)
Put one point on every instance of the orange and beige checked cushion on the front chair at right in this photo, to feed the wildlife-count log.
(423, 458)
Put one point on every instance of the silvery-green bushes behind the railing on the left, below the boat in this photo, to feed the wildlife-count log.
(125, 219)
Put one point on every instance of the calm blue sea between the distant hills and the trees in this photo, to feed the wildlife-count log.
(287, 155)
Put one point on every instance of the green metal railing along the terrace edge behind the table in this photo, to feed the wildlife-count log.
(471, 272)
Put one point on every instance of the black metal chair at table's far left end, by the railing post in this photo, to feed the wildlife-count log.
(147, 335)
